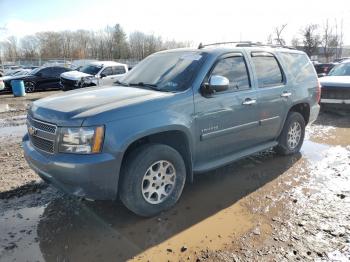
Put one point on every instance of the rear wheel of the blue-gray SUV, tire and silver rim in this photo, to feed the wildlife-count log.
(292, 136)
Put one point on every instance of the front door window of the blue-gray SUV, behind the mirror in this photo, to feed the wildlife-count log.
(235, 70)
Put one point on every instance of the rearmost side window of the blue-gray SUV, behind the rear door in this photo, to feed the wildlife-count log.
(299, 66)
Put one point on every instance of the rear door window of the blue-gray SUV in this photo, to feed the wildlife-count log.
(267, 69)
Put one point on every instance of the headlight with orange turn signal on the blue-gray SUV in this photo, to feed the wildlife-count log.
(83, 140)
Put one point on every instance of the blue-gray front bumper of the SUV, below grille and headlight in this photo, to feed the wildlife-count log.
(90, 176)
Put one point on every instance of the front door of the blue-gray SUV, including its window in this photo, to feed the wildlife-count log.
(226, 122)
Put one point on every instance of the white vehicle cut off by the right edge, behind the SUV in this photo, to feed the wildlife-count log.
(336, 87)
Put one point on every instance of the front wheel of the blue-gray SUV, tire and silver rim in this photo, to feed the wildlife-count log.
(152, 179)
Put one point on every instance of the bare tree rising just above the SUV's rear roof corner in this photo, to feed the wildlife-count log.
(311, 39)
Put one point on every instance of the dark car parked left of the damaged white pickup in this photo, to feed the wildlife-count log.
(41, 78)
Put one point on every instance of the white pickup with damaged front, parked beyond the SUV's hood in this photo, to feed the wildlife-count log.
(94, 74)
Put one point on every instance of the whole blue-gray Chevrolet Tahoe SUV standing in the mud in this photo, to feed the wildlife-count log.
(177, 113)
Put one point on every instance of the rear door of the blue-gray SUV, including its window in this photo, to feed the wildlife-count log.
(274, 94)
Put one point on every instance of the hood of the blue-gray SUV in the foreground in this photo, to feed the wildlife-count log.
(73, 107)
